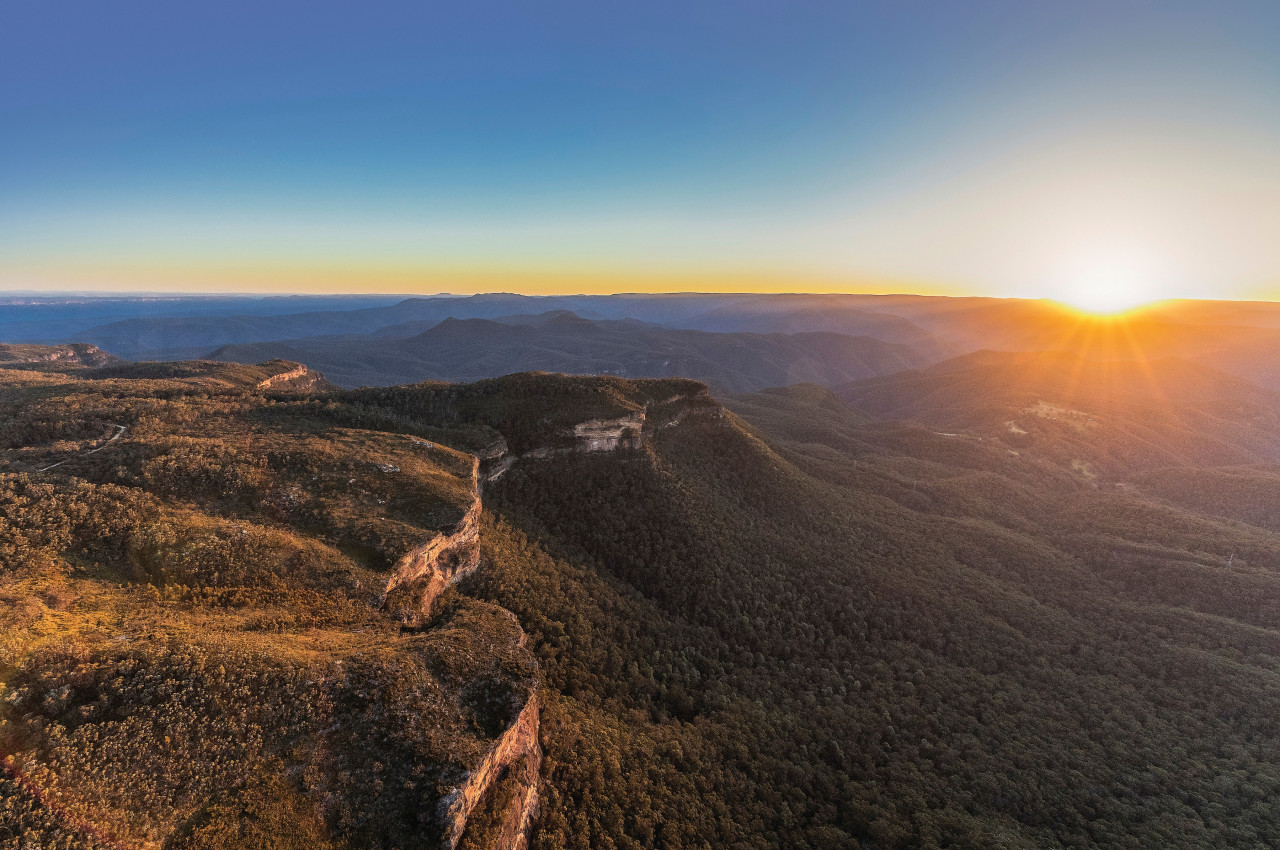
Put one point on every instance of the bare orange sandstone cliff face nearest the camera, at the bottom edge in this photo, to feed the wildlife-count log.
(516, 757)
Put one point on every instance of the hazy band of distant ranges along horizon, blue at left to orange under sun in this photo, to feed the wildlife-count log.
(781, 339)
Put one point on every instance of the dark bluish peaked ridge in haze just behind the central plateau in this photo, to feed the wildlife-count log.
(565, 342)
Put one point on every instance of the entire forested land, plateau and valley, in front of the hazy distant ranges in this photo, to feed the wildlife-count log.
(550, 610)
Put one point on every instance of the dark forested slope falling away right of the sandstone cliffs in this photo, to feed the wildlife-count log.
(911, 642)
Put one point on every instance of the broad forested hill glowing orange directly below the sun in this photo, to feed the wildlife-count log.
(1112, 415)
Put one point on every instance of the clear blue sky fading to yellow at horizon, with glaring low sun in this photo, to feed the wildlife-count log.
(979, 147)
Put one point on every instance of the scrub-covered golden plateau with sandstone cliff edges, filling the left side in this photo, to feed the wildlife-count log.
(240, 564)
